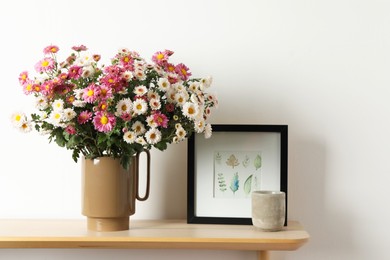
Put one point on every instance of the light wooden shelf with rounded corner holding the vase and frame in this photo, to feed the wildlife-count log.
(149, 234)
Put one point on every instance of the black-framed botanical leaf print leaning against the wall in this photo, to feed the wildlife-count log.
(224, 169)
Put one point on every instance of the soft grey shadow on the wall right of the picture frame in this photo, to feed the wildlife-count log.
(330, 229)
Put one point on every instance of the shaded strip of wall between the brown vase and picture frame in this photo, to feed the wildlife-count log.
(168, 184)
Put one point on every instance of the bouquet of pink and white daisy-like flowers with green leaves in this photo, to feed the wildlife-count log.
(118, 109)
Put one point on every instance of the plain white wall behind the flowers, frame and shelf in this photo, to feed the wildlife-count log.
(322, 67)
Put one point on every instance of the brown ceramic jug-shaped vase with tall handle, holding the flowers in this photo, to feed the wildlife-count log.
(109, 192)
